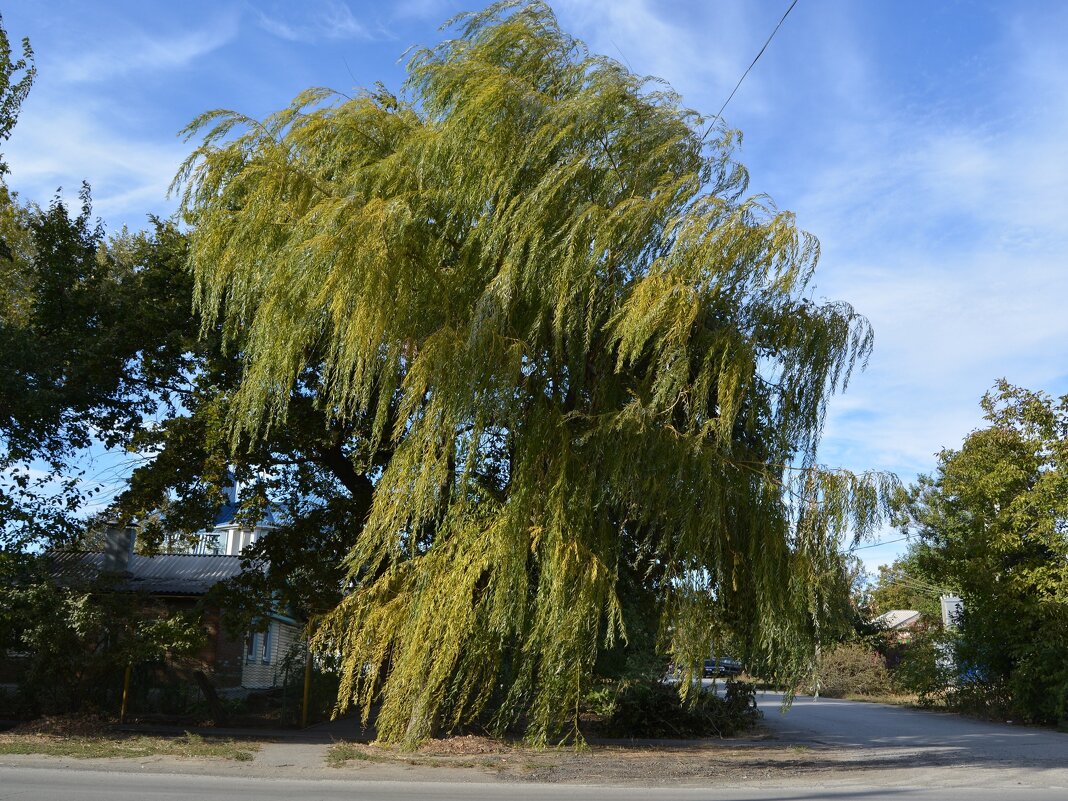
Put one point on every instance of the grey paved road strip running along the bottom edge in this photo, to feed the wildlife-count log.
(45, 784)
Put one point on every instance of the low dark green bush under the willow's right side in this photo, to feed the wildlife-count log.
(649, 709)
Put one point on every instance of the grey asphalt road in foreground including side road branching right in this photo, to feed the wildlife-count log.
(869, 751)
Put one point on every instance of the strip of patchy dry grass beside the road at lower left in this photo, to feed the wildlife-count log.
(133, 746)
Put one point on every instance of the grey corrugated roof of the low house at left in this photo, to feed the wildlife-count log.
(167, 574)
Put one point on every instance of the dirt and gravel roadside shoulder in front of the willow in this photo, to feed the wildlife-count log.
(764, 758)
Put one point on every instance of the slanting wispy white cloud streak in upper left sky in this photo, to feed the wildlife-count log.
(142, 52)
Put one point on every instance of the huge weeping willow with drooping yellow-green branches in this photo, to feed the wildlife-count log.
(586, 350)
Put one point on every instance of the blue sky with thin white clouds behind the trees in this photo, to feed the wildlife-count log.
(924, 145)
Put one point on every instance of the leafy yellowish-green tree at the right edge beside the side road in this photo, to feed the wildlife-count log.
(995, 525)
